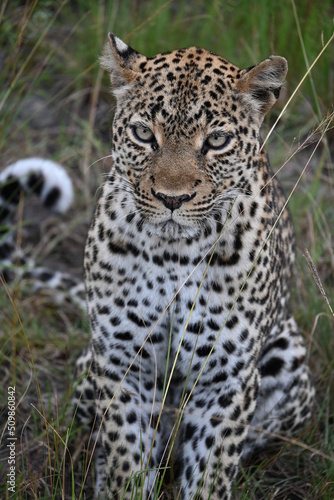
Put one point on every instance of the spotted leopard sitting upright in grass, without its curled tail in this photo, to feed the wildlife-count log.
(196, 361)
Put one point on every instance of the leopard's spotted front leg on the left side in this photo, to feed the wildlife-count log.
(130, 438)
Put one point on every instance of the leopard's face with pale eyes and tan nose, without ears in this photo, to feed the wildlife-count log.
(186, 138)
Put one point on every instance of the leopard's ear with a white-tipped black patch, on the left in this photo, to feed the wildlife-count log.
(121, 61)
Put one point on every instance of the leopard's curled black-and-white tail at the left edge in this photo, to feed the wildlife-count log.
(50, 182)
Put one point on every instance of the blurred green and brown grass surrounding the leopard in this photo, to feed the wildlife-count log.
(55, 103)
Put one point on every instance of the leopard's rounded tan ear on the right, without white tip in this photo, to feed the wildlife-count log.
(260, 85)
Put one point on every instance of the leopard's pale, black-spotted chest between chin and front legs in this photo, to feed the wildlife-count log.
(186, 300)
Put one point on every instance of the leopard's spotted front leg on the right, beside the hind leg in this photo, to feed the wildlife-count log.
(214, 426)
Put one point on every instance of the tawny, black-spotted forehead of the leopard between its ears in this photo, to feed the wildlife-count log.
(188, 82)
